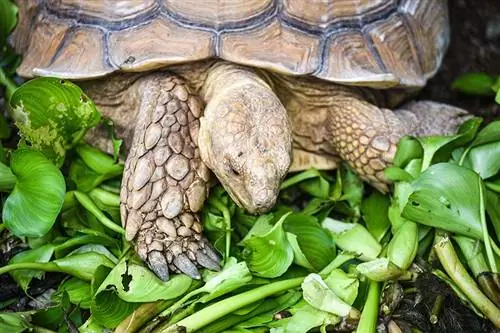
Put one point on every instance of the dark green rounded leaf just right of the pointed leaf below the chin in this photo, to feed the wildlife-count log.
(314, 242)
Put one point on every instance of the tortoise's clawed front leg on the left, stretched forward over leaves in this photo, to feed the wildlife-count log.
(165, 182)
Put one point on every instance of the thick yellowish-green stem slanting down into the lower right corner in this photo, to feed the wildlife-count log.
(452, 265)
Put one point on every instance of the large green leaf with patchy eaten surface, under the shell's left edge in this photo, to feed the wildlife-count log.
(52, 115)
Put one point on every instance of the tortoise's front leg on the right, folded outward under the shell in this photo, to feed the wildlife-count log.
(366, 136)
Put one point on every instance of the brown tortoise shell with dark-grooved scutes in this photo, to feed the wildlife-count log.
(377, 43)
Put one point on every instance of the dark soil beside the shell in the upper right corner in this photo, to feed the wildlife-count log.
(470, 51)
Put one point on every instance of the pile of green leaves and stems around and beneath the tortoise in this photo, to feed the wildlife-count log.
(333, 254)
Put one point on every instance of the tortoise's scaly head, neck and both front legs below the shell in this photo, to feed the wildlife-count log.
(245, 138)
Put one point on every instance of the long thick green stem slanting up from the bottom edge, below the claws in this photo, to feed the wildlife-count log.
(218, 310)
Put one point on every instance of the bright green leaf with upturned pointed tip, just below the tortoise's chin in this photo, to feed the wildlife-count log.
(268, 254)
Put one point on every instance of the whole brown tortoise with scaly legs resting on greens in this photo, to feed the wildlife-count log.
(248, 90)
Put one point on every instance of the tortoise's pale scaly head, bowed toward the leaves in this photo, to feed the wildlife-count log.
(245, 139)
